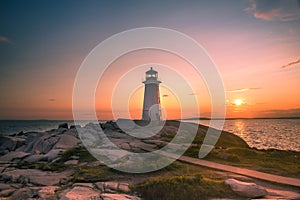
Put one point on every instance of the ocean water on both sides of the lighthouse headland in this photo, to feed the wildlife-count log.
(281, 134)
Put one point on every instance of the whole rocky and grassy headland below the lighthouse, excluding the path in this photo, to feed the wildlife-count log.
(55, 165)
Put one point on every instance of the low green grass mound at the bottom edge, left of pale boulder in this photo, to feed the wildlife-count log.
(183, 187)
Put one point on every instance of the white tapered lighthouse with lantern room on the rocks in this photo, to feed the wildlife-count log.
(151, 107)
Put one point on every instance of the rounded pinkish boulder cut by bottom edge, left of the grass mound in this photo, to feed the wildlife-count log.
(82, 193)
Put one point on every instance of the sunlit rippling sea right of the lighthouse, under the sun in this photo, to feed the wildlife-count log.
(283, 134)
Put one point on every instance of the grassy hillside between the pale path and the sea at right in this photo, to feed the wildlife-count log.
(232, 150)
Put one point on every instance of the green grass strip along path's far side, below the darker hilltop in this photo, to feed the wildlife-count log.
(285, 163)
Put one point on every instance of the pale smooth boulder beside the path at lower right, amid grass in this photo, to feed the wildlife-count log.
(250, 190)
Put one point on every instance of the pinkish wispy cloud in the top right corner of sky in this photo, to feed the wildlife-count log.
(281, 10)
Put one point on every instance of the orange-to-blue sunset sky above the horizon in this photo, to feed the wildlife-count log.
(254, 44)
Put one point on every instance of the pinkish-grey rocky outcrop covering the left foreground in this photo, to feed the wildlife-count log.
(44, 148)
